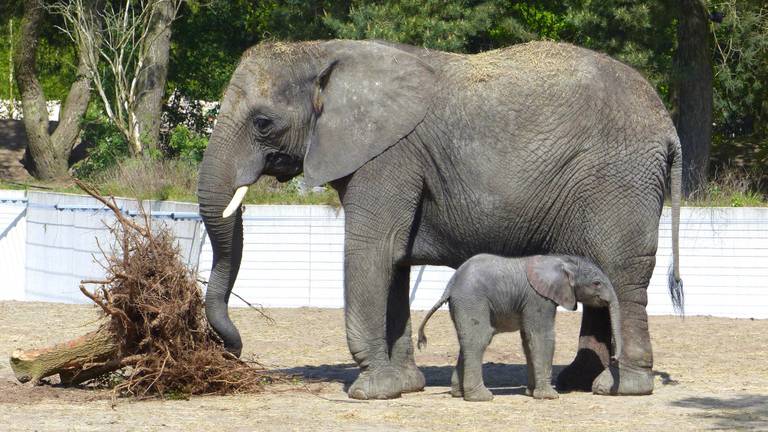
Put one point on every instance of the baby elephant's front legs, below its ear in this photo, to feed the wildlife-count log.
(539, 346)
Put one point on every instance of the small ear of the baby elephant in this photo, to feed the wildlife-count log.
(552, 278)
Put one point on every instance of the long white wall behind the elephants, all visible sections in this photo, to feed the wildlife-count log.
(293, 255)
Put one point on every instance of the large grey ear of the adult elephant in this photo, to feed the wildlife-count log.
(367, 97)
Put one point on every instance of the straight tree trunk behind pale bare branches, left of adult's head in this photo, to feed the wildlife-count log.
(152, 82)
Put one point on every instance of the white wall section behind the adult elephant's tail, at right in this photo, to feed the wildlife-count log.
(723, 263)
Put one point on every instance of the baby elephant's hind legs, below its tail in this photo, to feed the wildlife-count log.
(473, 328)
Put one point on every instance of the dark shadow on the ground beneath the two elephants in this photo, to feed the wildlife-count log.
(500, 378)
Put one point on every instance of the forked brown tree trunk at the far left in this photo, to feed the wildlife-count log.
(49, 152)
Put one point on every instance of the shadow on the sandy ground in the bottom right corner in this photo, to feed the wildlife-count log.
(746, 412)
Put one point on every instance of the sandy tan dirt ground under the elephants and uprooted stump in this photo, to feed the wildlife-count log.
(710, 373)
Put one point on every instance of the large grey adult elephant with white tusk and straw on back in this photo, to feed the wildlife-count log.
(534, 149)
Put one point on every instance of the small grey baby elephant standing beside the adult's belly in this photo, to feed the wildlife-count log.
(489, 294)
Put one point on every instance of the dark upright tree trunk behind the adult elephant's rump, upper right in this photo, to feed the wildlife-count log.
(693, 92)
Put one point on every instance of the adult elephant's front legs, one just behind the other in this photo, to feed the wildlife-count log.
(380, 202)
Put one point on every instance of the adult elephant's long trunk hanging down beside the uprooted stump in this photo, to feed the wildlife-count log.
(222, 172)
